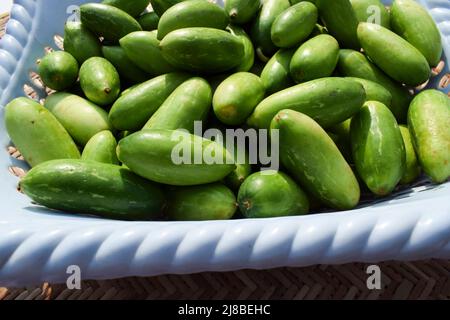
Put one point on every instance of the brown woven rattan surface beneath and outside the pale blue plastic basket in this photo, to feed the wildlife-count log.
(400, 280)
